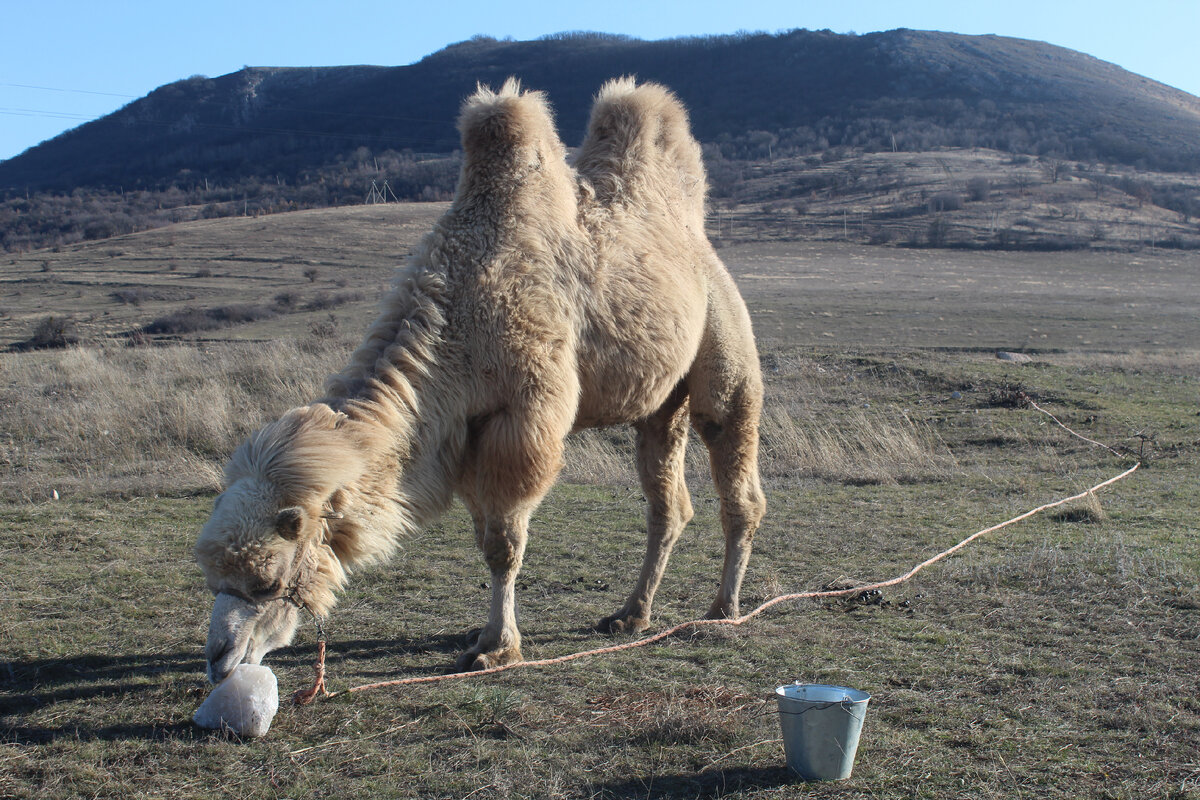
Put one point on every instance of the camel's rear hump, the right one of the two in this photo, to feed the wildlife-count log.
(640, 149)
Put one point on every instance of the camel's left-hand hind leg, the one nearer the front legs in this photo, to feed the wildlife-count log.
(662, 443)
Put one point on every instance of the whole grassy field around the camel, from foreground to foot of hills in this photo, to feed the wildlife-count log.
(1054, 660)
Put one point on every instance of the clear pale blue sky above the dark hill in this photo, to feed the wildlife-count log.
(67, 62)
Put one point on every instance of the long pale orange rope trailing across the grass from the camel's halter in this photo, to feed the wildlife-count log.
(307, 696)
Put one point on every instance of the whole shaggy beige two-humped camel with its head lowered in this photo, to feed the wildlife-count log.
(548, 299)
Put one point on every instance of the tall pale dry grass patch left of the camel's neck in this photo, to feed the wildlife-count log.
(113, 420)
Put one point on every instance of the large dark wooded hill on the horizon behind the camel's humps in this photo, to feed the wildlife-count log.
(758, 95)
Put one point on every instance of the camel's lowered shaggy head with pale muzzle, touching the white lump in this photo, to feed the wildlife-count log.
(266, 550)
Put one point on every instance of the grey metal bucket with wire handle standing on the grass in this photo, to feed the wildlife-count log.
(821, 729)
